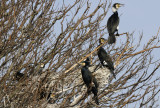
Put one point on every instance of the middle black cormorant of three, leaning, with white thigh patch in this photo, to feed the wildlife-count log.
(104, 58)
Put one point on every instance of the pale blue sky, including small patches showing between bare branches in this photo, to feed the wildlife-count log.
(139, 16)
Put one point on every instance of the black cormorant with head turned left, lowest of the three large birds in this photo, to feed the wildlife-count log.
(89, 80)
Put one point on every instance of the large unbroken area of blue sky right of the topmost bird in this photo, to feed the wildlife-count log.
(140, 16)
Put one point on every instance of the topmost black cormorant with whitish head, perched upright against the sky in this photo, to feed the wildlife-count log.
(113, 22)
